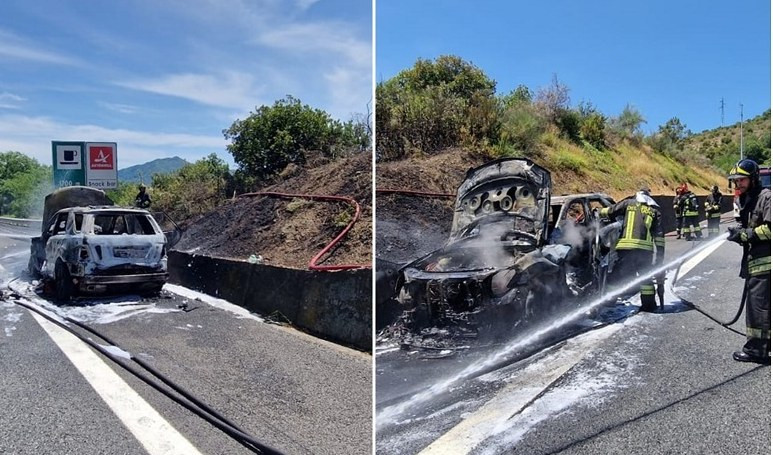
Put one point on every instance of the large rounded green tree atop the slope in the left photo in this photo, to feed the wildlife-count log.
(274, 136)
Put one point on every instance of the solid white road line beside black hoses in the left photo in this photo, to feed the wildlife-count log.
(155, 434)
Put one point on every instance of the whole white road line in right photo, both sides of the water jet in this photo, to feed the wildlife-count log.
(478, 426)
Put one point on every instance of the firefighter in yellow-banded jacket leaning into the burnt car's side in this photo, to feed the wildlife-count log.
(640, 241)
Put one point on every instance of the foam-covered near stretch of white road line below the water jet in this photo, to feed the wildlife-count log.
(516, 396)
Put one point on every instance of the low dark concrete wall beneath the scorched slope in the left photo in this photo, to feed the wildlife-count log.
(333, 305)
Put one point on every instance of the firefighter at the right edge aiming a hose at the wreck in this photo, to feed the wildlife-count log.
(754, 235)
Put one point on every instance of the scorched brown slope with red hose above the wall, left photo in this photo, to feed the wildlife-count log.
(289, 232)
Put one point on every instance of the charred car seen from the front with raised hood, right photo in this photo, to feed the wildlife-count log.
(513, 254)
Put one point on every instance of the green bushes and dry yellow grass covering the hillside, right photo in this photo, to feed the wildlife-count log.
(449, 103)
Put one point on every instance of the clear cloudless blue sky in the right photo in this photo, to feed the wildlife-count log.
(666, 58)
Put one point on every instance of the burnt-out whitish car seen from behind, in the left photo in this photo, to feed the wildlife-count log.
(96, 248)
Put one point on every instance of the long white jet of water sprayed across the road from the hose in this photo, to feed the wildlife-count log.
(392, 413)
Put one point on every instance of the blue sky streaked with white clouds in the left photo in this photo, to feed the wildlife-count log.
(165, 77)
